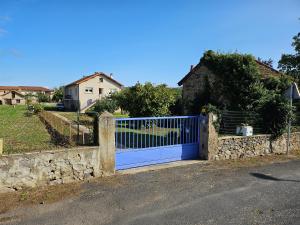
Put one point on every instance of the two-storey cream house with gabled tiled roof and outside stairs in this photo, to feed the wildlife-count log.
(83, 93)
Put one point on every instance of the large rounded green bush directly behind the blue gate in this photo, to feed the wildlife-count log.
(146, 100)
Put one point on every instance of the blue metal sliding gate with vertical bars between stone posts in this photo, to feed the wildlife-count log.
(153, 140)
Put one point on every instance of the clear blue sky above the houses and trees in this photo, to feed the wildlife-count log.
(53, 42)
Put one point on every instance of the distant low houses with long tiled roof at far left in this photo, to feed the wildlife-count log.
(16, 95)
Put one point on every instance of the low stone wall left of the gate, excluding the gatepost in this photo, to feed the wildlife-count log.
(47, 168)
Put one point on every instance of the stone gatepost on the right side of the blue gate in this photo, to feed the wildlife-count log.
(208, 138)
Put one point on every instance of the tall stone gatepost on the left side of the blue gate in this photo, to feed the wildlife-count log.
(107, 151)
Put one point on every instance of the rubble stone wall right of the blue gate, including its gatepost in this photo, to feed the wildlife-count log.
(233, 147)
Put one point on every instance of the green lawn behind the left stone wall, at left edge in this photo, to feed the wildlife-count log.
(22, 133)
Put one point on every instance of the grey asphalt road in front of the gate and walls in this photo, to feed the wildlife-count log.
(185, 195)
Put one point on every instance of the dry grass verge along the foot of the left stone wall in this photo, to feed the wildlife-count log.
(38, 195)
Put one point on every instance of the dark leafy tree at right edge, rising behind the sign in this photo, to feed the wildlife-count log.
(290, 63)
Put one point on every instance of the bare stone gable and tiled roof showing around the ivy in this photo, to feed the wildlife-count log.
(194, 82)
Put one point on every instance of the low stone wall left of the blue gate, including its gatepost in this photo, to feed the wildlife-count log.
(61, 166)
